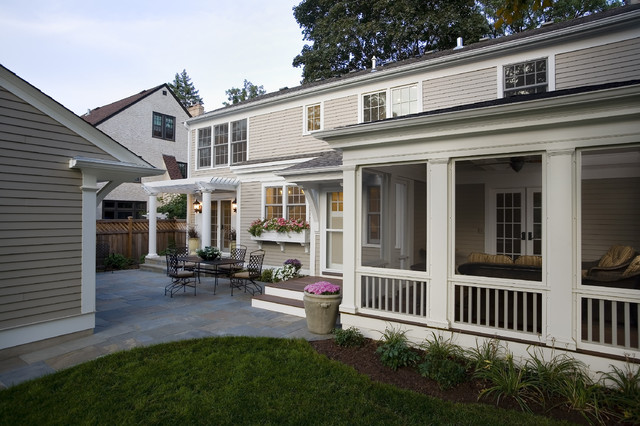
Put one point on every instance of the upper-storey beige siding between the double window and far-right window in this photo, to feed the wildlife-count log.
(460, 89)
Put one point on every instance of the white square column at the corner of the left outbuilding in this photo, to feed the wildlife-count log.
(89, 204)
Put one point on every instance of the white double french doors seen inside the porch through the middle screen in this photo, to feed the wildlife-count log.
(518, 222)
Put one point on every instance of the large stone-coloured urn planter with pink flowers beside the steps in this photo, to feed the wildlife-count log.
(321, 302)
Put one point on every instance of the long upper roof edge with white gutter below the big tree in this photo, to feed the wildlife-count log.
(562, 30)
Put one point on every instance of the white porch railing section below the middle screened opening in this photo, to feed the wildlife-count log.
(511, 309)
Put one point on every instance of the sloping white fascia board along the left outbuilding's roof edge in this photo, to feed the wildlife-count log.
(62, 115)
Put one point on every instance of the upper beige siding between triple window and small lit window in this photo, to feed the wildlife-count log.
(278, 134)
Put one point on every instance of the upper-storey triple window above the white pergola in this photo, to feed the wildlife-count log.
(227, 145)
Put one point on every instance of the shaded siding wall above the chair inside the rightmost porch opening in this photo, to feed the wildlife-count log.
(610, 212)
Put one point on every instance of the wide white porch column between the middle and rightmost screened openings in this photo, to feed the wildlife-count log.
(559, 258)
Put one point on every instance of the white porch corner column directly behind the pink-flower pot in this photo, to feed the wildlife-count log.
(351, 212)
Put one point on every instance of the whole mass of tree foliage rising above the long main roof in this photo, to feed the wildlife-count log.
(346, 34)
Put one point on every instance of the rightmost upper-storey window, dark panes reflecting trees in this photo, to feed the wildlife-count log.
(525, 78)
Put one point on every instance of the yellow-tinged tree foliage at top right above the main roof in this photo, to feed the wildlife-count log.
(512, 16)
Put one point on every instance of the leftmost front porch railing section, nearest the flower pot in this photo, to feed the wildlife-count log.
(393, 295)
